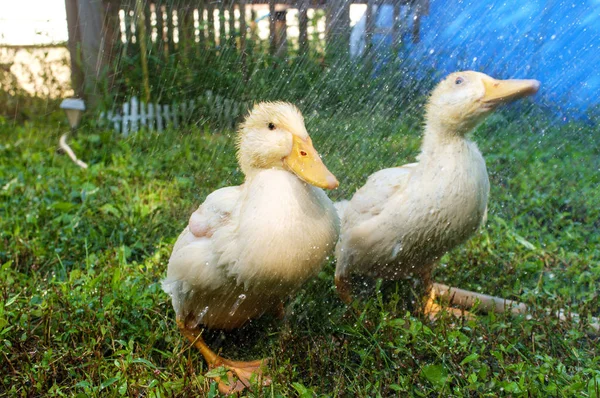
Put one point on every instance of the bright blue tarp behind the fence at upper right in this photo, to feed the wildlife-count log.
(556, 42)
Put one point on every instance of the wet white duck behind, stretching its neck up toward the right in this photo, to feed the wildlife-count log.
(399, 224)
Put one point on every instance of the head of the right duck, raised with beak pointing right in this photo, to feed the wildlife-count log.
(464, 99)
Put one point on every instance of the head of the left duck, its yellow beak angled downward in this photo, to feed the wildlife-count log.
(273, 136)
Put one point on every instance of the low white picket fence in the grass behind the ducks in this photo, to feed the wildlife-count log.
(136, 115)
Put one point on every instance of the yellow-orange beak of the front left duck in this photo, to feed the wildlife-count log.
(305, 162)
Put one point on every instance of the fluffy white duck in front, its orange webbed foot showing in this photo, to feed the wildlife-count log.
(249, 247)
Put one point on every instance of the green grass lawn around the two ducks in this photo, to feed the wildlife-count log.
(82, 254)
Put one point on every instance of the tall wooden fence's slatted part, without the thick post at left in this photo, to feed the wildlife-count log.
(202, 24)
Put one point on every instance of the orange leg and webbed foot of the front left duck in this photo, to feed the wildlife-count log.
(243, 370)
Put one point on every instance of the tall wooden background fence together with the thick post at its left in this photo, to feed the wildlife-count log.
(100, 30)
